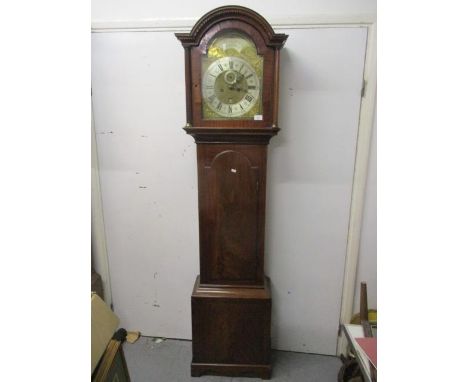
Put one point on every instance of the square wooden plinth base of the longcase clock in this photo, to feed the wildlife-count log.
(231, 331)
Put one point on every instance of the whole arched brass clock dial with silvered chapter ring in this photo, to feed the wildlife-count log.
(232, 79)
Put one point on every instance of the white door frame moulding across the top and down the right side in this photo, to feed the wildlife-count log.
(366, 118)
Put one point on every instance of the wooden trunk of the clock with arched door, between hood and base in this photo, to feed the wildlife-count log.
(231, 208)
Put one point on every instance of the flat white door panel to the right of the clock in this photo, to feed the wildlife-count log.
(310, 177)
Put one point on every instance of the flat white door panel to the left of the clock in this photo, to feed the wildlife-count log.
(148, 179)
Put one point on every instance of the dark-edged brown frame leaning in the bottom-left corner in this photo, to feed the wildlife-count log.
(113, 366)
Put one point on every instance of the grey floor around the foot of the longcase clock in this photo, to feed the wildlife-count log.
(169, 361)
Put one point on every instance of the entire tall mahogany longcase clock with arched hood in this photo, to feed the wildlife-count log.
(232, 79)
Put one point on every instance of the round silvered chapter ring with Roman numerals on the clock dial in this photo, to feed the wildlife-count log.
(230, 87)
